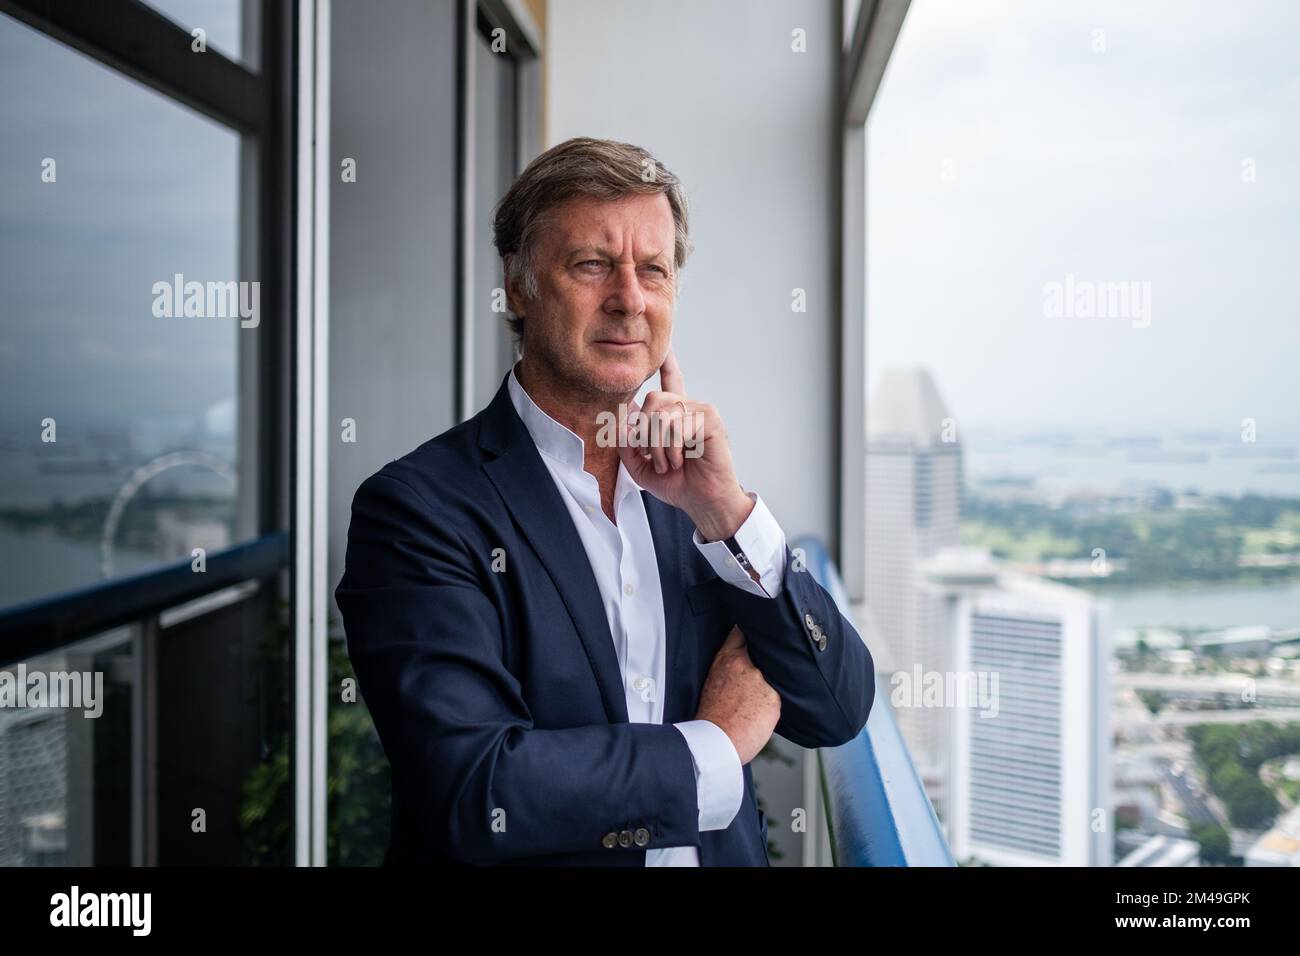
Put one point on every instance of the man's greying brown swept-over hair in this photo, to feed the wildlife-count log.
(579, 167)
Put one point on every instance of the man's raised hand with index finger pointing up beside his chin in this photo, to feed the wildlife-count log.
(678, 451)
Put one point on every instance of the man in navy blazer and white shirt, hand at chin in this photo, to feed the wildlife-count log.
(573, 626)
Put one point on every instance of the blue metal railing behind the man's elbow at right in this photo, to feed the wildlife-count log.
(878, 812)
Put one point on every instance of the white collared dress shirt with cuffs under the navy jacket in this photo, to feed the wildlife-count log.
(623, 560)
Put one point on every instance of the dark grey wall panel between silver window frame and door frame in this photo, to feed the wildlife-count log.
(393, 236)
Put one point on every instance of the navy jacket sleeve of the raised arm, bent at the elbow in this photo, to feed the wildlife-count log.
(827, 691)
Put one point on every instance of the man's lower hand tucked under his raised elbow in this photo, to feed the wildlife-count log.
(739, 700)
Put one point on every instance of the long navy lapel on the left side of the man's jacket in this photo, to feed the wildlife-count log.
(530, 494)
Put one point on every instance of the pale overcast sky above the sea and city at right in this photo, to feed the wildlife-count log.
(1012, 145)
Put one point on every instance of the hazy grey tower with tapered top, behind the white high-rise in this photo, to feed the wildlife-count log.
(915, 492)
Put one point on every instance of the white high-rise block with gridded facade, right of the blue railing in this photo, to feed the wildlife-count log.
(1030, 764)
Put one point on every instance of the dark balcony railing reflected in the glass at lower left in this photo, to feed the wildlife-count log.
(177, 656)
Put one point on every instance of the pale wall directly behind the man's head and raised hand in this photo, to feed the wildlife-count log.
(713, 89)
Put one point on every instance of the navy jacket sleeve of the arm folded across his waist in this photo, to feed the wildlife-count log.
(427, 646)
